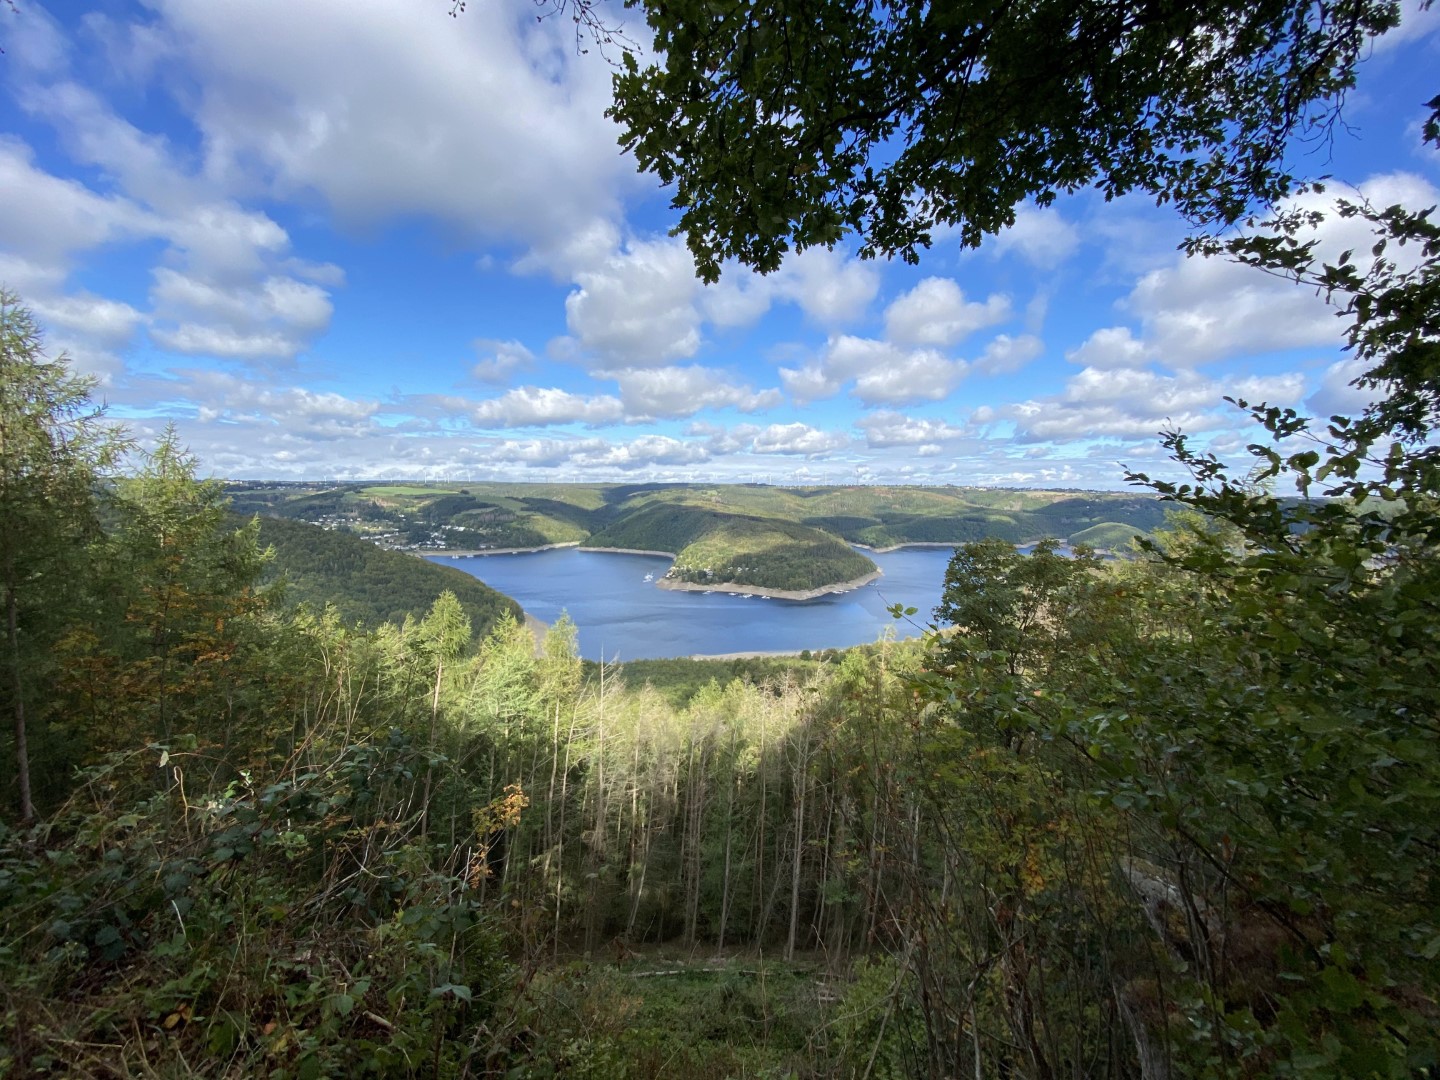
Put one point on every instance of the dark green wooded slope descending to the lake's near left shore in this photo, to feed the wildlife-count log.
(371, 585)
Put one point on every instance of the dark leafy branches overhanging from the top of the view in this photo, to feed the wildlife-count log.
(787, 125)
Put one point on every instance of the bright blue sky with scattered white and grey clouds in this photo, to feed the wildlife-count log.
(364, 240)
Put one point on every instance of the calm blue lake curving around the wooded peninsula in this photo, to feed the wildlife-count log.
(623, 616)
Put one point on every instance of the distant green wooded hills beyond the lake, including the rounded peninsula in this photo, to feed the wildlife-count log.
(787, 542)
